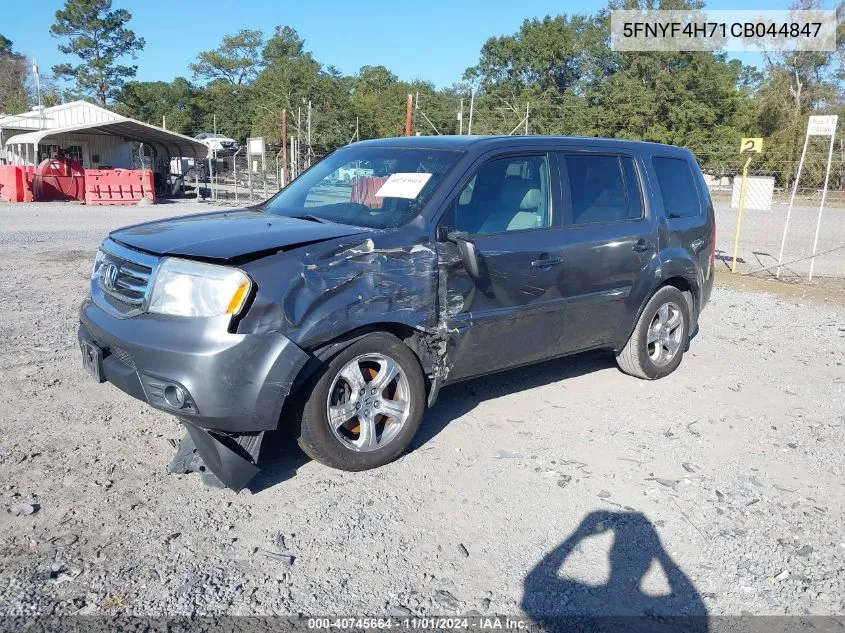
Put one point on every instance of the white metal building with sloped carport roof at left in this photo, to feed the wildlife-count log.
(91, 135)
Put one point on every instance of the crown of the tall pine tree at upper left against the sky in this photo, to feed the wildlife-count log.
(98, 36)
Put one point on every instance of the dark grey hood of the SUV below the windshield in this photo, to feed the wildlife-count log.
(227, 234)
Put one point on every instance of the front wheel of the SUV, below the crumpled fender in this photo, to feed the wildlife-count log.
(365, 406)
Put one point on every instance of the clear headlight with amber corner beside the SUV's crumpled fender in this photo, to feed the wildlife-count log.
(186, 288)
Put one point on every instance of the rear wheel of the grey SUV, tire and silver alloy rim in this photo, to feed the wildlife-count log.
(657, 344)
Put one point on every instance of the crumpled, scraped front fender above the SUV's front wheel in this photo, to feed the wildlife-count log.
(316, 294)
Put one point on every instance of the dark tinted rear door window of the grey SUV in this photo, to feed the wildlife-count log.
(602, 188)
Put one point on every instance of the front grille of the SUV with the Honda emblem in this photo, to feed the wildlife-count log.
(123, 277)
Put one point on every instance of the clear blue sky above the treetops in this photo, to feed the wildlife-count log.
(435, 40)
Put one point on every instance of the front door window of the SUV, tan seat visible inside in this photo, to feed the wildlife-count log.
(506, 194)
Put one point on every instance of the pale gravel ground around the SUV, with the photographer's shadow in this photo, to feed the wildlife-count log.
(567, 487)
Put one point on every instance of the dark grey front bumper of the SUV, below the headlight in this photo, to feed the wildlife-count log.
(236, 383)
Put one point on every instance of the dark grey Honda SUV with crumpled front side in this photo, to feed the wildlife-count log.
(340, 307)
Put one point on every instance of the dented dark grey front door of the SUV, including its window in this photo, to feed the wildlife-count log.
(510, 314)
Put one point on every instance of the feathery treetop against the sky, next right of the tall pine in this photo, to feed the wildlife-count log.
(235, 61)
